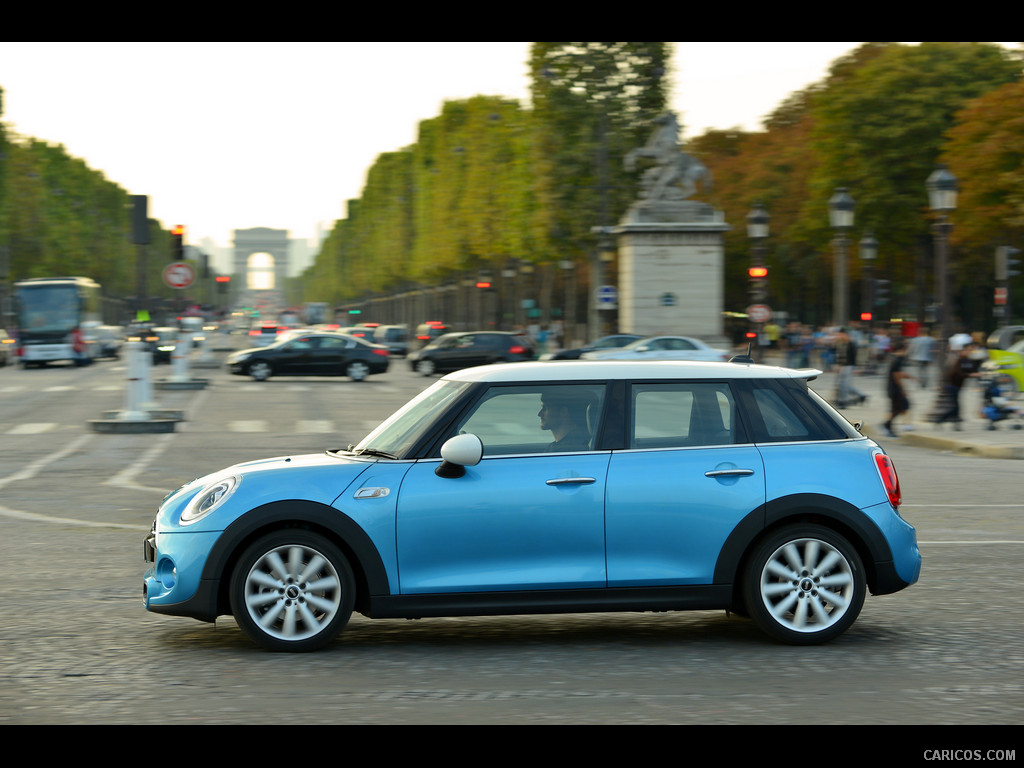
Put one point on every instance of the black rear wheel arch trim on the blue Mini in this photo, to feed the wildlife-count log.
(834, 514)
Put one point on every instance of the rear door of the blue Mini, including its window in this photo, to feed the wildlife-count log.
(688, 478)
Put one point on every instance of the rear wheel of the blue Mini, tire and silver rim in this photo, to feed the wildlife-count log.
(805, 585)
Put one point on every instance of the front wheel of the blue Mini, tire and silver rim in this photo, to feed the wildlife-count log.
(292, 591)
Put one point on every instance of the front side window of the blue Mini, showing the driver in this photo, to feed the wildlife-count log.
(536, 419)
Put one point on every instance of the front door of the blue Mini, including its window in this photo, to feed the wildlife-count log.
(527, 518)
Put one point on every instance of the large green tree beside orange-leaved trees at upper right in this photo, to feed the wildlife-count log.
(879, 127)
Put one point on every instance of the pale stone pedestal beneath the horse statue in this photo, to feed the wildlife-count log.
(671, 276)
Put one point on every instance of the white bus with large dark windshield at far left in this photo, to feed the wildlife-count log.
(54, 317)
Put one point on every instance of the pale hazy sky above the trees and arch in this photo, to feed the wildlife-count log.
(226, 137)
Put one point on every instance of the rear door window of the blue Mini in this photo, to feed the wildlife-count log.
(682, 415)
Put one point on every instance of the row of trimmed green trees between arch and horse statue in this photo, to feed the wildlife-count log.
(490, 183)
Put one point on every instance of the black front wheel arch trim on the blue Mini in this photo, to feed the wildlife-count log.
(371, 577)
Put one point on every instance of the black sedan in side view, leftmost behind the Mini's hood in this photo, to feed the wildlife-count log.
(312, 355)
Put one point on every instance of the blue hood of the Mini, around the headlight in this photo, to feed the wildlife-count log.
(315, 478)
